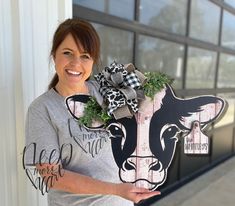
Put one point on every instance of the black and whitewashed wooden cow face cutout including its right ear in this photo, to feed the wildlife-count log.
(143, 146)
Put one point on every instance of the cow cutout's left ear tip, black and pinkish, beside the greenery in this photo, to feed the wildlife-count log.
(75, 104)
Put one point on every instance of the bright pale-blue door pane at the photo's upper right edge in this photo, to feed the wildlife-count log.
(228, 31)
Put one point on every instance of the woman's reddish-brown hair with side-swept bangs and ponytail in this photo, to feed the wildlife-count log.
(84, 35)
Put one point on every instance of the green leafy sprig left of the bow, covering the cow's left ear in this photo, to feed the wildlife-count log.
(93, 112)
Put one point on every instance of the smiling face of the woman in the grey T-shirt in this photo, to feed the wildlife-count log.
(73, 65)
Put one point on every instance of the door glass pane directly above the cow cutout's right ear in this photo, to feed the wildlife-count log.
(200, 68)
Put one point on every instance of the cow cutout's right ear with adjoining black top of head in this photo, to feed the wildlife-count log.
(204, 109)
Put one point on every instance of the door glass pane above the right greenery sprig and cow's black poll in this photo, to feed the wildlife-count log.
(159, 55)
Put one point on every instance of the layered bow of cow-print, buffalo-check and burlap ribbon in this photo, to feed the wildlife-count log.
(120, 87)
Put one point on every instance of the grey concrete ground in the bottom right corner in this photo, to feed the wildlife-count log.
(214, 188)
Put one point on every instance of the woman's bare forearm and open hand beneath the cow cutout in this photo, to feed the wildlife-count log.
(80, 184)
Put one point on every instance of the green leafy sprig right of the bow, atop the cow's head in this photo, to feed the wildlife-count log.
(155, 82)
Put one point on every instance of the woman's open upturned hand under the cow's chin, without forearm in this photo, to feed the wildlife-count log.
(133, 193)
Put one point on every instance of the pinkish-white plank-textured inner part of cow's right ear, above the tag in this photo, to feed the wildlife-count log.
(205, 114)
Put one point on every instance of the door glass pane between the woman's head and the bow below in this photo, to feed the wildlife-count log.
(116, 45)
